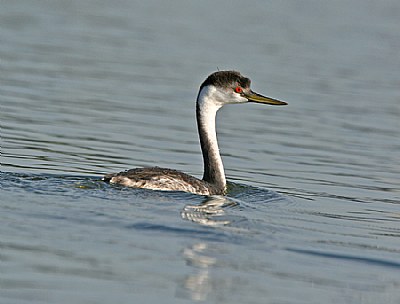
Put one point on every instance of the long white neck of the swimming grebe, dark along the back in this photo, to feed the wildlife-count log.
(206, 109)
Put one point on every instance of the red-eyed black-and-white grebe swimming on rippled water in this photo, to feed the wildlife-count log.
(219, 88)
